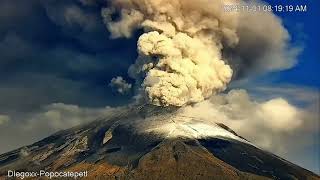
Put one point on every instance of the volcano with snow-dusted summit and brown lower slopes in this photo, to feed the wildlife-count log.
(148, 142)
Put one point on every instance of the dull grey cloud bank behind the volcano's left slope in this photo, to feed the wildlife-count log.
(15, 133)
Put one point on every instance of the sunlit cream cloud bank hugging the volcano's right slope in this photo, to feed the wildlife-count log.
(275, 124)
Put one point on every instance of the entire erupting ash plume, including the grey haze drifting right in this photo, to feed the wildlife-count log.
(186, 45)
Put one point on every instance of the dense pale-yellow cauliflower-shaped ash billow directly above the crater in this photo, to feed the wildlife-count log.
(178, 70)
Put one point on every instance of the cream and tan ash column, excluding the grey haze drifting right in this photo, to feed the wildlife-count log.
(180, 60)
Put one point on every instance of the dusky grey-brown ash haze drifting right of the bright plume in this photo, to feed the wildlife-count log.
(263, 45)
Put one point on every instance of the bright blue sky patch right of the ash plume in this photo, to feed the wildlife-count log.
(304, 30)
